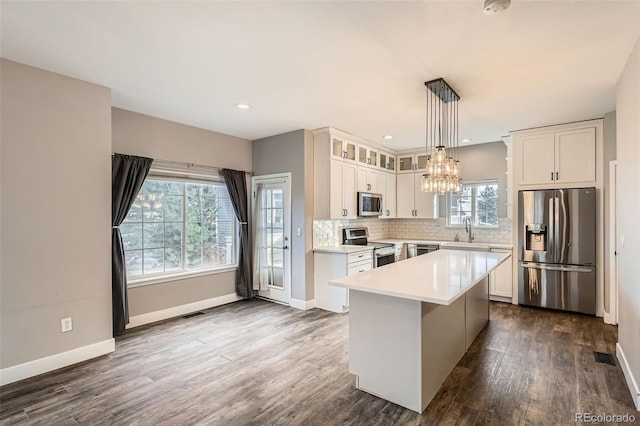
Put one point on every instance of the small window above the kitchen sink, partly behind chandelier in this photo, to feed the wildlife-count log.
(477, 200)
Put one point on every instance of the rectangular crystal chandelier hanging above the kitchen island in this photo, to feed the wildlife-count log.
(443, 167)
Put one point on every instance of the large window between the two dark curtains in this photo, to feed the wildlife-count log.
(177, 226)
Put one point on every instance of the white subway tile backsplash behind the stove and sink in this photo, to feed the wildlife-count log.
(329, 232)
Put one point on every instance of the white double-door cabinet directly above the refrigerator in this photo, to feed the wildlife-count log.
(559, 157)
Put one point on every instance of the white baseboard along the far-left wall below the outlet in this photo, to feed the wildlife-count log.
(53, 362)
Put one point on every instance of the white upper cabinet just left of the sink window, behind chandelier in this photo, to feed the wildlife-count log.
(411, 202)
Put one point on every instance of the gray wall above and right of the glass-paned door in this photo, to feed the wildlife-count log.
(293, 152)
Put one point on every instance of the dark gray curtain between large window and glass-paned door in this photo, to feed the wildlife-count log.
(237, 187)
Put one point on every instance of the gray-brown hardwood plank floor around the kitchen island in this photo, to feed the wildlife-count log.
(260, 363)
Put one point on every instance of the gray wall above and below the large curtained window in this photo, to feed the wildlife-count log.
(139, 134)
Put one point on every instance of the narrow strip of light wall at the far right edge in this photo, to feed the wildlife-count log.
(628, 201)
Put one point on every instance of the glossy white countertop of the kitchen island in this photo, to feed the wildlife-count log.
(439, 277)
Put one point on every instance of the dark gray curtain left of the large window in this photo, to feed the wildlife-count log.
(127, 176)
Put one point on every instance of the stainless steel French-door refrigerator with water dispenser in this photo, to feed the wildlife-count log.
(557, 249)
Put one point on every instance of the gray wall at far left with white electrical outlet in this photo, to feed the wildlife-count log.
(55, 255)
